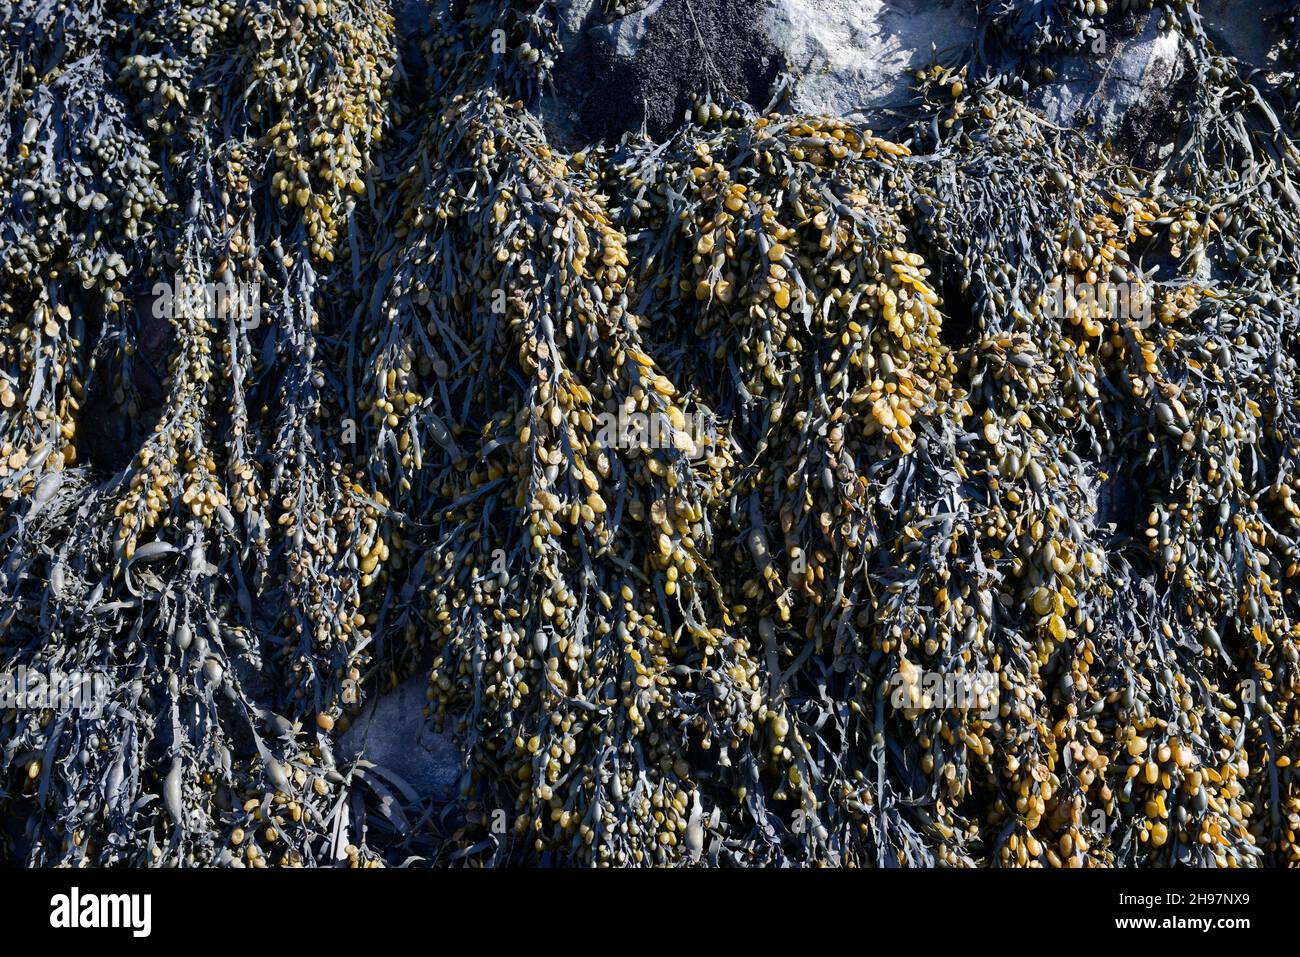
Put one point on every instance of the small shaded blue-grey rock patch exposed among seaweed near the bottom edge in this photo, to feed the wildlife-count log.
(393, 733)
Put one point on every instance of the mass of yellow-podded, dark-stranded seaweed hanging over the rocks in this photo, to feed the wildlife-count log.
(695, 474)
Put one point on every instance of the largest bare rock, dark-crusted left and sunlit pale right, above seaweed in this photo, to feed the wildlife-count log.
(643, 68)
